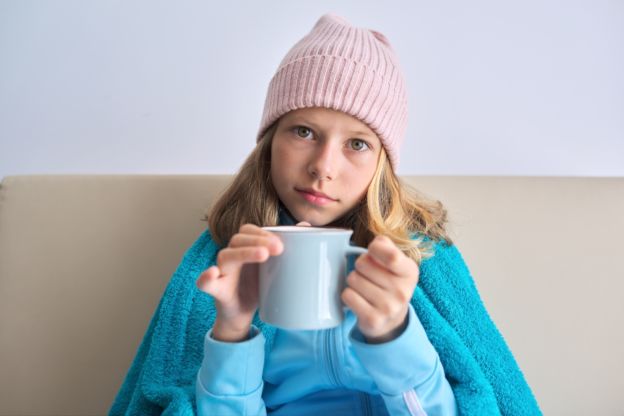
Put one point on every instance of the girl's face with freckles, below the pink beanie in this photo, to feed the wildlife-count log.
(322, 162)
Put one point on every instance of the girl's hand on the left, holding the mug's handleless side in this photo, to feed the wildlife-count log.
(236, 301)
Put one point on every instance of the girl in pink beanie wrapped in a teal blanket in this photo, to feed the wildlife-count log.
(416, 338)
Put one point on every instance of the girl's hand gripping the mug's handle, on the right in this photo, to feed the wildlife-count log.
(379, 290)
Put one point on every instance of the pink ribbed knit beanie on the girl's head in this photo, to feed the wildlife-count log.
(345, 68)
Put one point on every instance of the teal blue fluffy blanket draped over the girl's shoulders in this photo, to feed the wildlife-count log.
(482, 371)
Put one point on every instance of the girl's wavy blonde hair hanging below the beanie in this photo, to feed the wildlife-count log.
(390, 208)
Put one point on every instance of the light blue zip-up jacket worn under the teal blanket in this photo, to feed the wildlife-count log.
(331, 372)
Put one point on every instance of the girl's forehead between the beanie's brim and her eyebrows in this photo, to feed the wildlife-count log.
(328, 119)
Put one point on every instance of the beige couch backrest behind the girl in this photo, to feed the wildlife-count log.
(84, 261)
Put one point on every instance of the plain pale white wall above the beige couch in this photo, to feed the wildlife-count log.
(495, 88)
